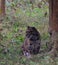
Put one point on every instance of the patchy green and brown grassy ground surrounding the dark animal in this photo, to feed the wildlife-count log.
(12, 34)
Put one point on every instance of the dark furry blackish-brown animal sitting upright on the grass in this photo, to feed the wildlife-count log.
(32, 41)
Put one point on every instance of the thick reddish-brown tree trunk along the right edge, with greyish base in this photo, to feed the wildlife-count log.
(53, 24)
